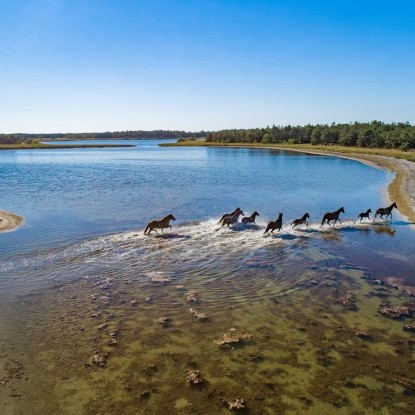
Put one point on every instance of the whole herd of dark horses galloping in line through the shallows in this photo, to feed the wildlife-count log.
(232, 218)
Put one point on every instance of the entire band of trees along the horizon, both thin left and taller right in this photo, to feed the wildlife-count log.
(375, 134)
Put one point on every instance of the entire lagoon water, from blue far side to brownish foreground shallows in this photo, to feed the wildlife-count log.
(80, 270)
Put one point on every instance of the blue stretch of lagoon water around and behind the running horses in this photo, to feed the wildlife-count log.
(69, 196)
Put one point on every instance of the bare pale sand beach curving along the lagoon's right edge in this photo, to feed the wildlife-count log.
(402, 188)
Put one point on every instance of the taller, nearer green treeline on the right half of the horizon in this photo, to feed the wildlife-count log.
(374, 134)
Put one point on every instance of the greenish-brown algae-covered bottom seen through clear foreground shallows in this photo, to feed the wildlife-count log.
(317, 344)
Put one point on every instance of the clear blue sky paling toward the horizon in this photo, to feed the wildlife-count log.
(106, 65)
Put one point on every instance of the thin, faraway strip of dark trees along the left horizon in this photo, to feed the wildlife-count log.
(27, 138)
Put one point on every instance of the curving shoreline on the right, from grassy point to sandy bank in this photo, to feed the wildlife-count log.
(400, 190)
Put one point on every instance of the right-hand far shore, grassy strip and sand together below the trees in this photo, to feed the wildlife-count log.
(401, 190)
